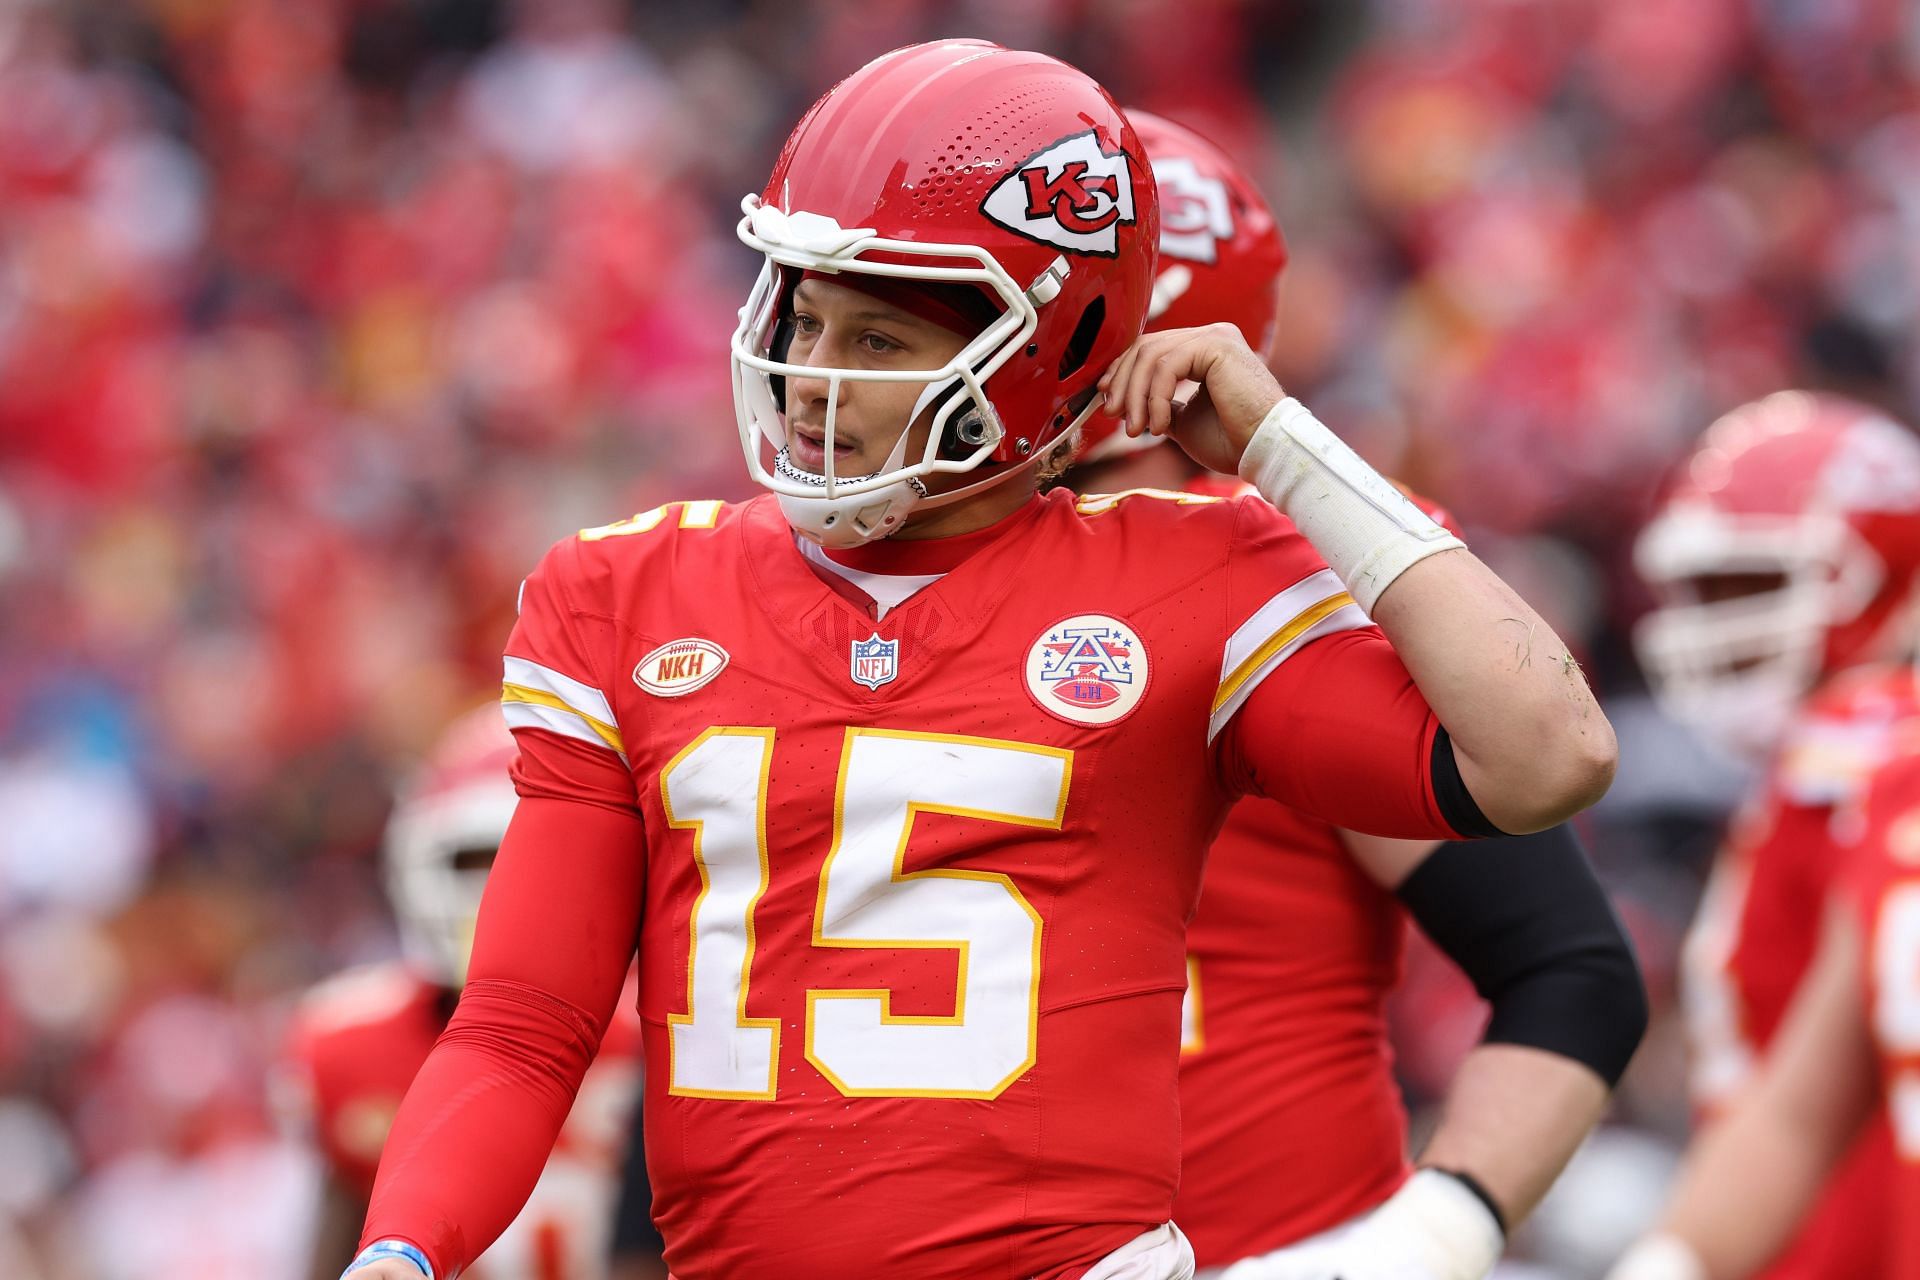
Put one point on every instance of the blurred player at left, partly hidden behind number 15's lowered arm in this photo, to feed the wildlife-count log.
(360, 1037)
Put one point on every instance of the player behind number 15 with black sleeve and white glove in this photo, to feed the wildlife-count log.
(1291, 1118)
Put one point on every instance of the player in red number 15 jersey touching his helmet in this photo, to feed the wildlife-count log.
(901, 776)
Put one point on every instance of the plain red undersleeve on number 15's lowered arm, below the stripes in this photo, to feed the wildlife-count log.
(481, 1120)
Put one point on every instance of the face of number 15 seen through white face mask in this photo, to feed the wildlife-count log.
(836, 327)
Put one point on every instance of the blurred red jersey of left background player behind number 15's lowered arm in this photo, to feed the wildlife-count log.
(354, 1049)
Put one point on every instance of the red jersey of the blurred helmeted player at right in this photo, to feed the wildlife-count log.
(1760, 922)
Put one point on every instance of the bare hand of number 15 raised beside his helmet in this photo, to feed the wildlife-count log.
(1236, 392)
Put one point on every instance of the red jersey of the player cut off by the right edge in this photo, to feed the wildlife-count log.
(1884, 889)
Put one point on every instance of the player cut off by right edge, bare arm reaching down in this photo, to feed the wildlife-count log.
(1844, 1062)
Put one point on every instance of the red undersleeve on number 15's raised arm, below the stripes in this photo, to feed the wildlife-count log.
(1341, 732)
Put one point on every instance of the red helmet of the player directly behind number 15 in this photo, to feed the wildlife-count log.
(1220, 254)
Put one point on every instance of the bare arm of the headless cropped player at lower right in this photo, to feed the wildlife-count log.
(1756, 1172)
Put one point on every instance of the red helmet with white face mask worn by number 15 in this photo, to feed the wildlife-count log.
(955, 162)
